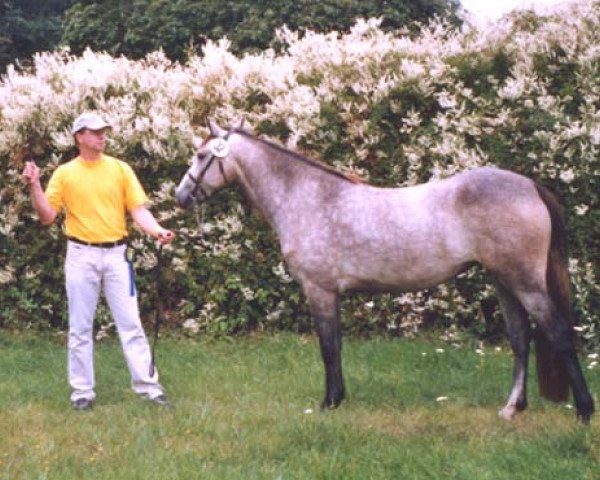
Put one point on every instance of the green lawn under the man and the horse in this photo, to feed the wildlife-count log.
(248, 409)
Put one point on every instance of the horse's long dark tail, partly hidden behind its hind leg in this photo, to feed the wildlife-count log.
(553, 382)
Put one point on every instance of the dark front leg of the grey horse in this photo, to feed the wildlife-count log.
(325, 309)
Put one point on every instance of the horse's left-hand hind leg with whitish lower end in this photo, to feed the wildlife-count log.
(519, 333)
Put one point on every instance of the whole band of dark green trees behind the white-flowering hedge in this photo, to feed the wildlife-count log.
(137, 27)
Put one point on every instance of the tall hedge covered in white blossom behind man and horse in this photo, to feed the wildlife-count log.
(522, 94)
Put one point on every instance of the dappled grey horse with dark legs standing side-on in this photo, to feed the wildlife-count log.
(340, 236)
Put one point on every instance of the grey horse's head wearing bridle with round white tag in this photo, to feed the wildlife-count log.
(208, 171)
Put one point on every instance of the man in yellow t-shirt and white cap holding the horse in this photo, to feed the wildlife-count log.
(96, 191)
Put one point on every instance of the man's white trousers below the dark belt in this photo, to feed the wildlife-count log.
(88, 271)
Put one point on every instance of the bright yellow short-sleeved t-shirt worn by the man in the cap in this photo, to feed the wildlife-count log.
(95, 196)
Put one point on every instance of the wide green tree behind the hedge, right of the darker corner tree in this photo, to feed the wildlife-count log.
(135, 28)
